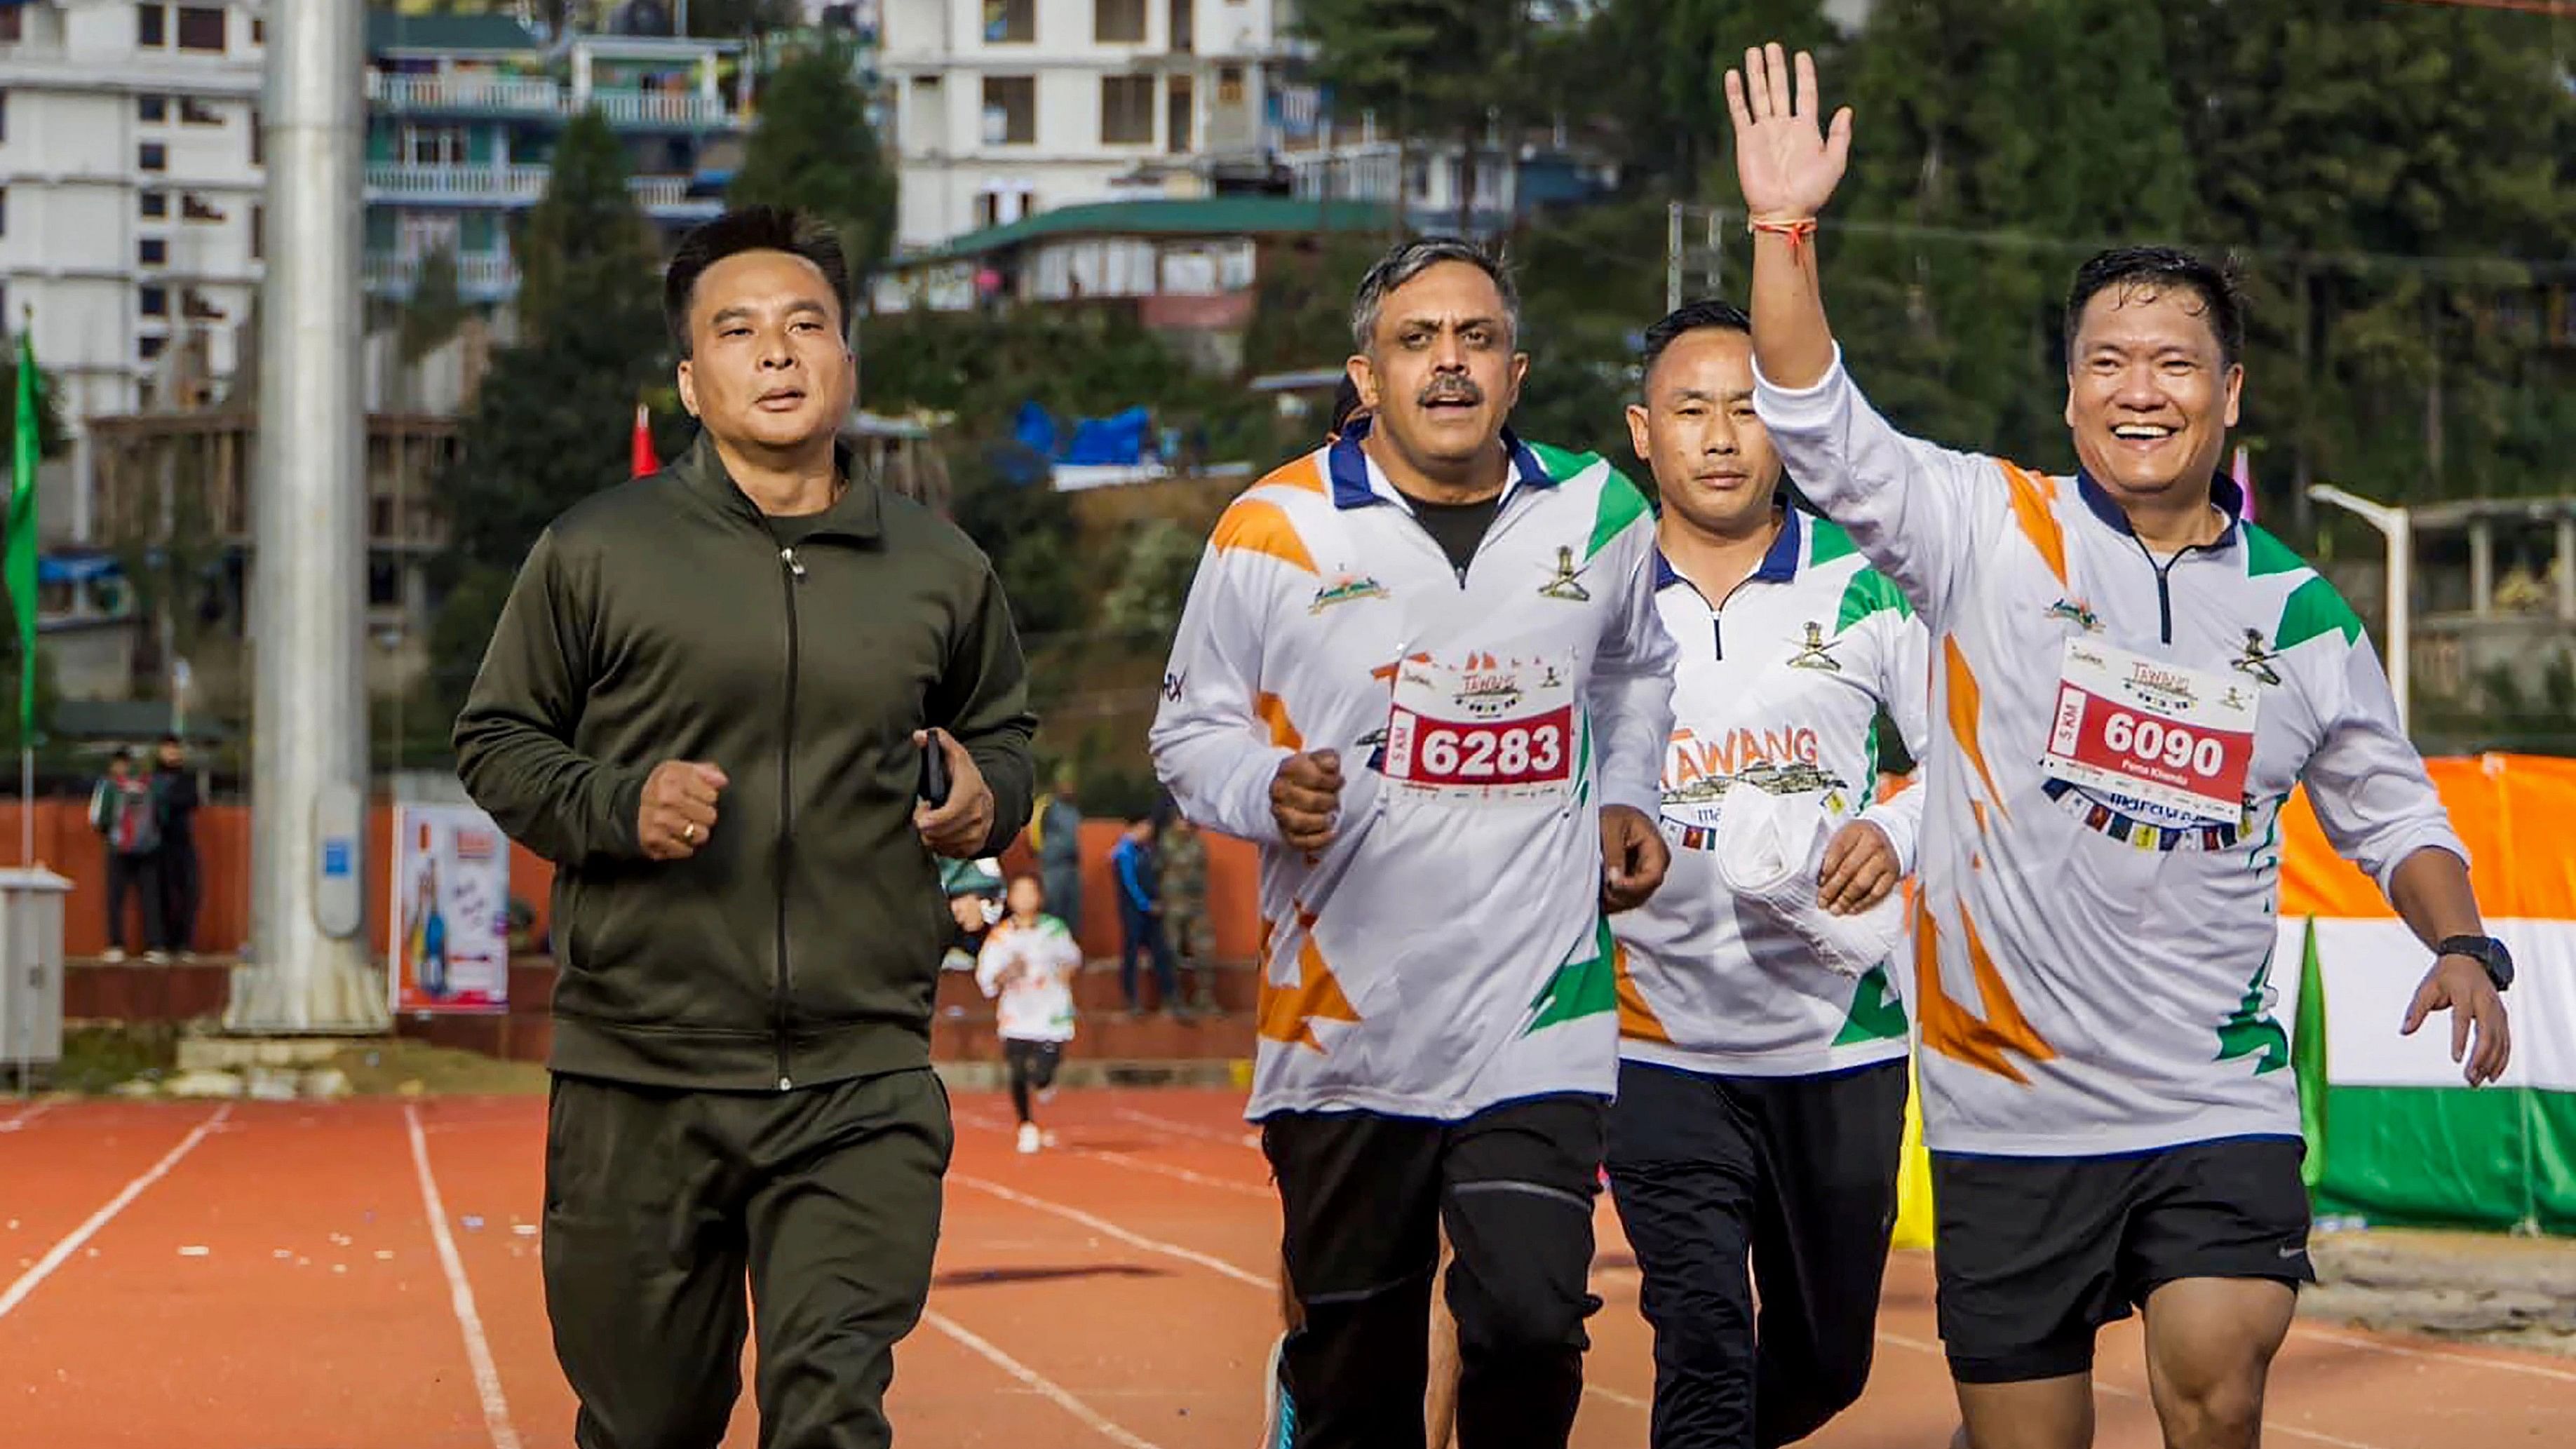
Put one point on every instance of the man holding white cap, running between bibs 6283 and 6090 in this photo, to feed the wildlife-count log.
(1763, 1087)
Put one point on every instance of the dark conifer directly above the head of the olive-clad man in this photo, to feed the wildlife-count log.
(813, 148)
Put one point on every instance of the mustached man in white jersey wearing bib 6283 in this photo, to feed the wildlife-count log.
(1423, 672)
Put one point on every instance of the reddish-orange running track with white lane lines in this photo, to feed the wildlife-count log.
(274, 1278)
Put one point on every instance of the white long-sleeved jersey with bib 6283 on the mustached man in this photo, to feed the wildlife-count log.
(1446, 950)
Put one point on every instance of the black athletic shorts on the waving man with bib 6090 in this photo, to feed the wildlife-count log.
(2036, 1254)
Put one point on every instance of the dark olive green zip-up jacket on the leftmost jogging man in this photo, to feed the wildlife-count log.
(666, 623)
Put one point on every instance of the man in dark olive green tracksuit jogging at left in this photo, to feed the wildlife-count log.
(707, 703)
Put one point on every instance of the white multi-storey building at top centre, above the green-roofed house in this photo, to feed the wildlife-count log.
(1014, 107)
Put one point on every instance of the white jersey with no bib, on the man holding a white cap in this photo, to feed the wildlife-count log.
(1776, 690)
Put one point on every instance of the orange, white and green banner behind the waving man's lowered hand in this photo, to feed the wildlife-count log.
(2394, 1133)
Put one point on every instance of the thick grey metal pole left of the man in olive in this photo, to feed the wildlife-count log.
(308, 607)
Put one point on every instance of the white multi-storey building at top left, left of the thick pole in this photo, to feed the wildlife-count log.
(130, 190)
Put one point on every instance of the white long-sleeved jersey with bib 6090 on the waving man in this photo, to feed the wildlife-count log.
(2093, 940)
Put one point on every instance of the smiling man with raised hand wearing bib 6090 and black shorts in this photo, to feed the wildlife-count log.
(2129, 682)
